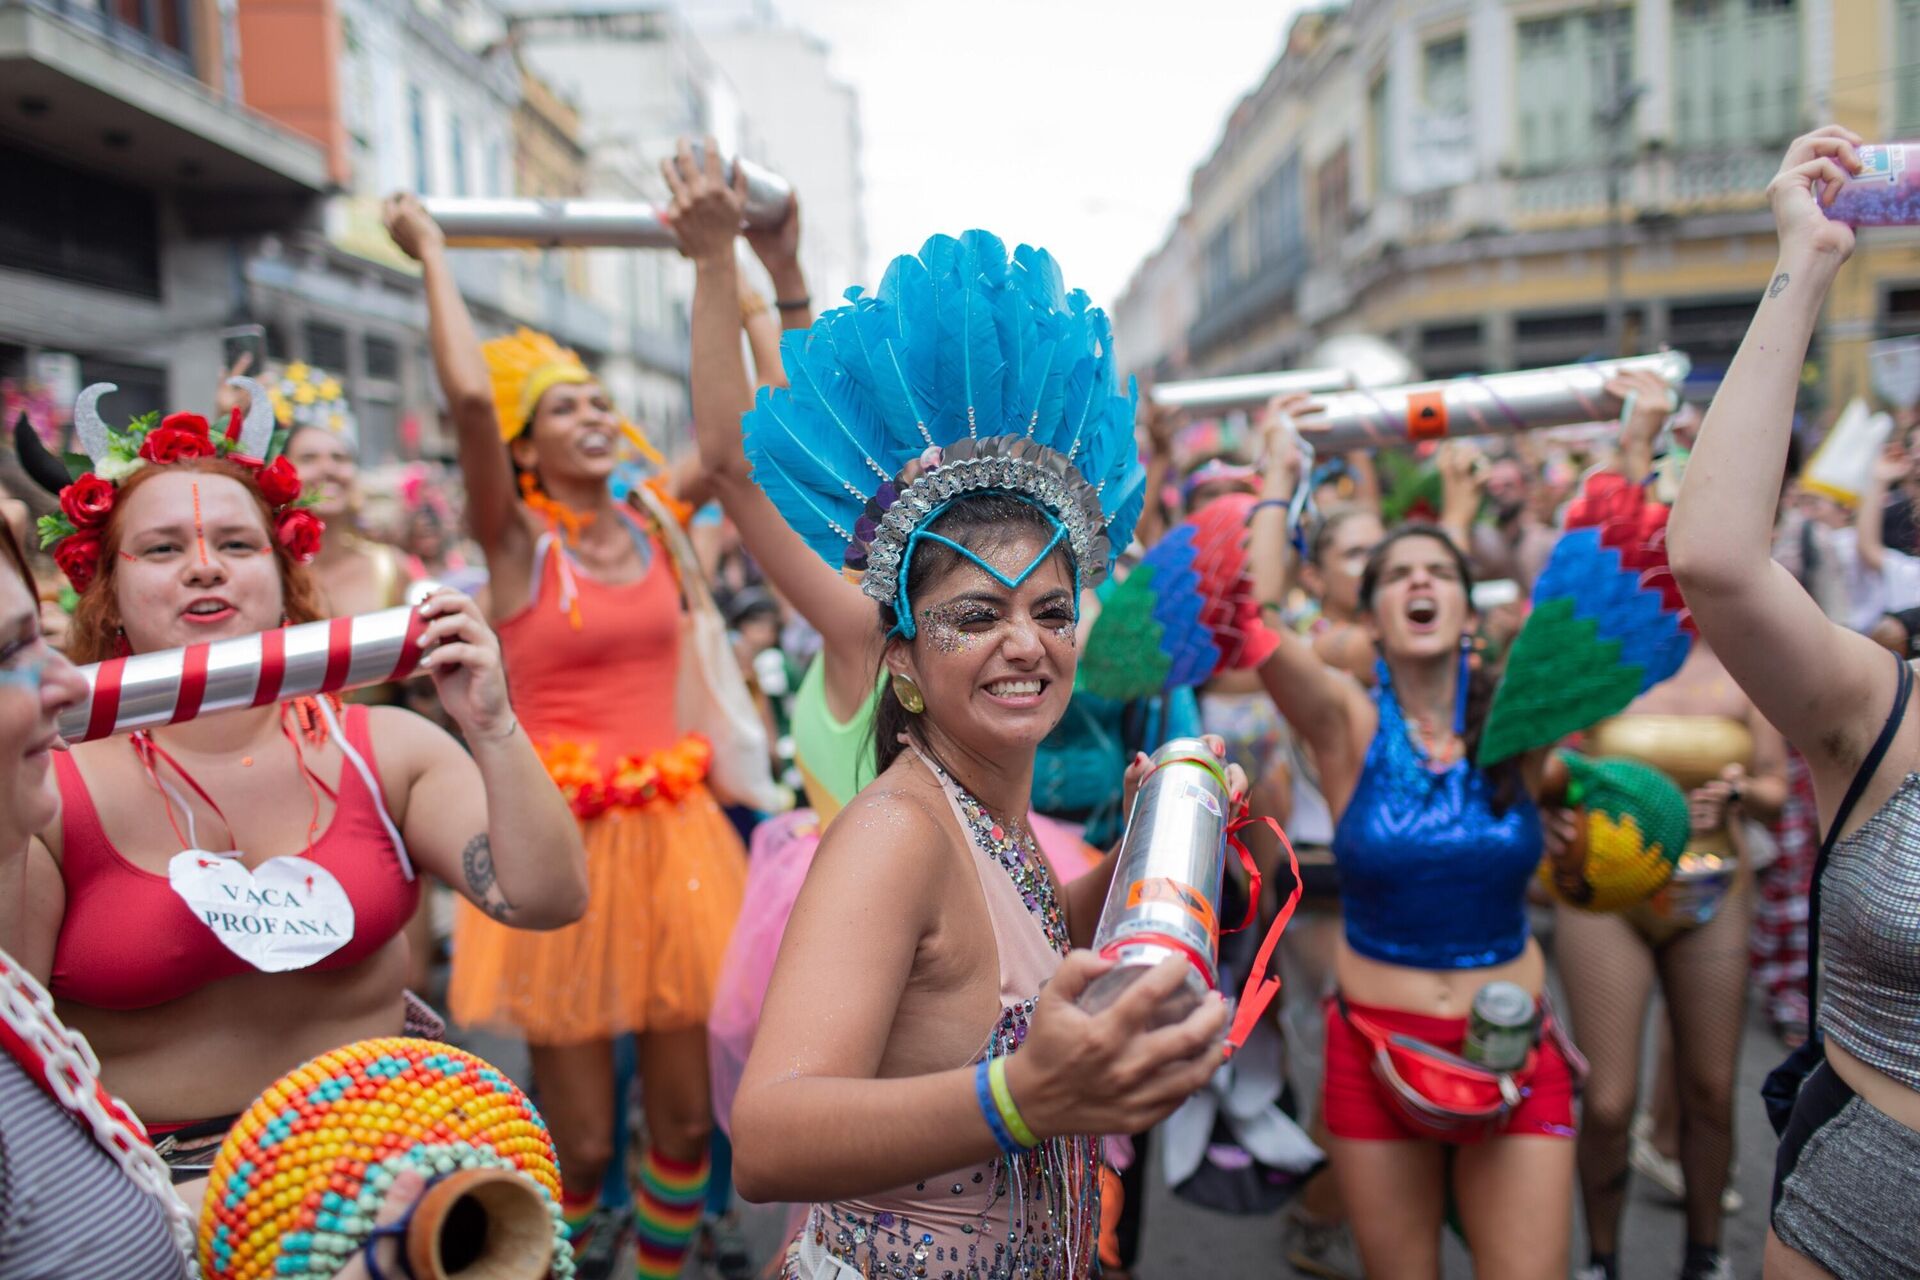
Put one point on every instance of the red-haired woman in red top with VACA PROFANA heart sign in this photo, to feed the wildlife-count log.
(181, 536)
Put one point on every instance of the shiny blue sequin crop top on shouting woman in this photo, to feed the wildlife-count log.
(1429, 876)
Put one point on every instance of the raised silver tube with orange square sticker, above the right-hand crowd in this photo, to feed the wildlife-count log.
(1491, 406)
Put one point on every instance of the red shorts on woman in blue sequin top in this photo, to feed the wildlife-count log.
(1358, 1106)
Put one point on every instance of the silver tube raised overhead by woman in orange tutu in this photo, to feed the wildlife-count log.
(590, 224)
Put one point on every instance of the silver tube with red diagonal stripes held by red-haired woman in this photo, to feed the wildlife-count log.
(251, 671)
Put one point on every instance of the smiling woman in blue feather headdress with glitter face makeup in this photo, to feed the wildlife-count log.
(957, 446)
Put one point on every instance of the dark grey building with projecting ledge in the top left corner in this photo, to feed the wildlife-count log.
(137, 181)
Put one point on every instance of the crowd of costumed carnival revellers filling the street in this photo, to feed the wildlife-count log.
(757, 786)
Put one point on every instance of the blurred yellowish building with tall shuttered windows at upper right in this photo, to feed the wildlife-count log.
(1516, 183)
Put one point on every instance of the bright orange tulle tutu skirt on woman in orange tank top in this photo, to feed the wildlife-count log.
(665, 888)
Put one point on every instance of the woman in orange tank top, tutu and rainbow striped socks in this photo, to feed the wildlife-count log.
(590, 598)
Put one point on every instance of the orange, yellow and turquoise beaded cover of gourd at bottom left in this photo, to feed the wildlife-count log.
(297, 1185)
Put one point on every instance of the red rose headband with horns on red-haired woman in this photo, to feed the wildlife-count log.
(78, 533)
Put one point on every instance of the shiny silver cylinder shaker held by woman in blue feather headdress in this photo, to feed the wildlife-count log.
(1166, 889)
